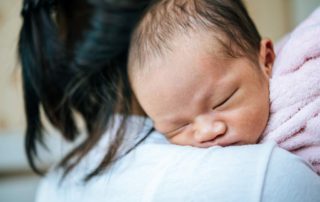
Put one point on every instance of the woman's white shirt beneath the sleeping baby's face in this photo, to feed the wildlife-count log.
(160, 172)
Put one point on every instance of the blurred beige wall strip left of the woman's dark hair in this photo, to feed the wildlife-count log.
(11, 106)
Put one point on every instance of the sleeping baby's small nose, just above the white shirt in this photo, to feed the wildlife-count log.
(207, 129)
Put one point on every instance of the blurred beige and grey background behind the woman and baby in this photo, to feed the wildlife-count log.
(274, 18)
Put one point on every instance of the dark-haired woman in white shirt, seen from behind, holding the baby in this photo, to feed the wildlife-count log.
(122, 158)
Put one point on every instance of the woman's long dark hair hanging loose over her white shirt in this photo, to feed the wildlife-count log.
(74, 60)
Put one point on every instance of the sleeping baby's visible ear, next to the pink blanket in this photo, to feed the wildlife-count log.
(266, 56)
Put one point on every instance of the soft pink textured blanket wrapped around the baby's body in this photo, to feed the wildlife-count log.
(295, 93)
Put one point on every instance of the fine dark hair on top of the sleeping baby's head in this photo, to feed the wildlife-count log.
(167, 18)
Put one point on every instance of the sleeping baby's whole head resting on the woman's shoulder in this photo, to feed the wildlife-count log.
(200, 70)
